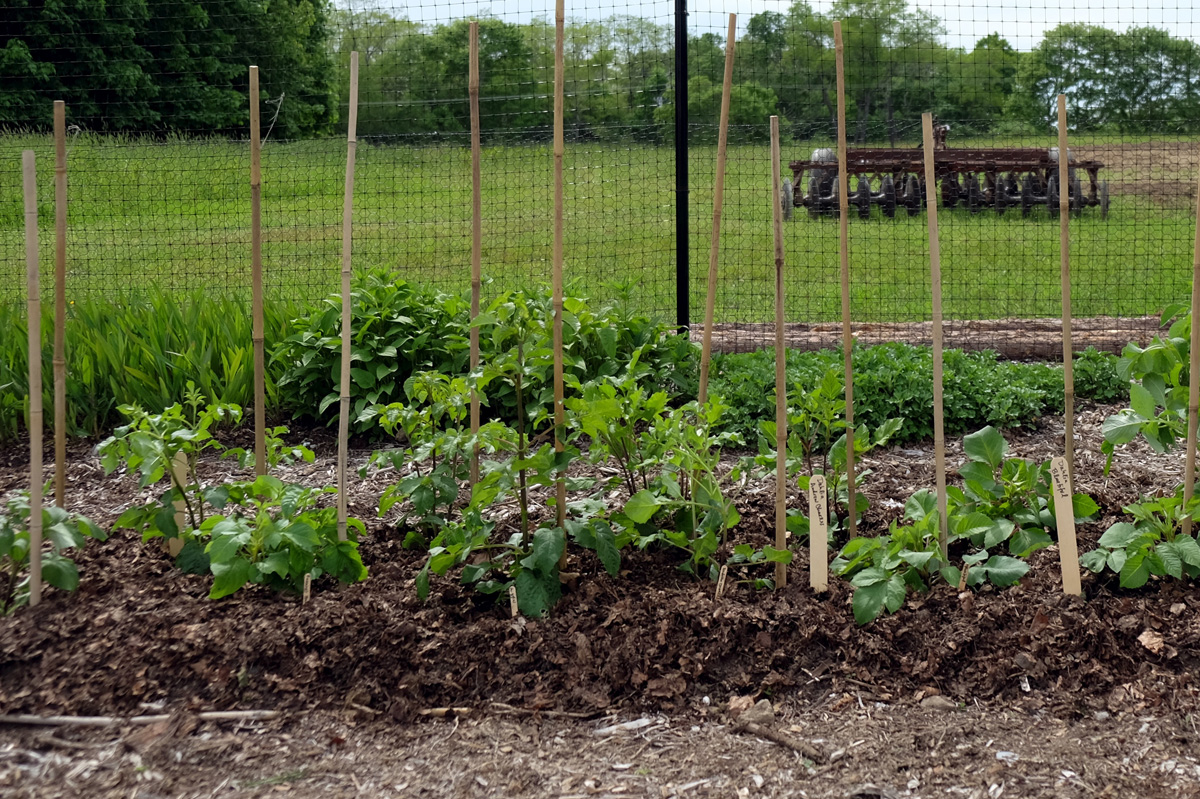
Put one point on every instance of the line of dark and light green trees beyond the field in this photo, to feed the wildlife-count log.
(163, 67)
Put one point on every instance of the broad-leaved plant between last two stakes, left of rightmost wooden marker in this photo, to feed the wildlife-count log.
(1006, 501)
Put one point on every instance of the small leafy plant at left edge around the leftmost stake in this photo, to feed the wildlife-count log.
(62, 531)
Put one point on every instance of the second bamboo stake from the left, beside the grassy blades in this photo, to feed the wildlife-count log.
(61, 303)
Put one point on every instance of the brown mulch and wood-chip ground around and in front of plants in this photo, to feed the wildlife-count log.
(1052, 695)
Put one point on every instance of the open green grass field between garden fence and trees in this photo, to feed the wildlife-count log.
(178, 214)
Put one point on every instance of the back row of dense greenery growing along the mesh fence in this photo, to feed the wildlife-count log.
(146, 350)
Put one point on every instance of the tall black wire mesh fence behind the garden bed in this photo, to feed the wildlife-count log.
(159, 160)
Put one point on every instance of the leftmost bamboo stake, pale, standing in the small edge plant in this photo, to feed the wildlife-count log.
(34, 298)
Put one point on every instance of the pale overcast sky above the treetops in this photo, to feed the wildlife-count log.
(967, 21)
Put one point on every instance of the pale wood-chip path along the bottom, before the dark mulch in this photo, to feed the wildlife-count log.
(878, 749)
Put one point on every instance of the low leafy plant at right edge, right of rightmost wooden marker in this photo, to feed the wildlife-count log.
(1154, 544)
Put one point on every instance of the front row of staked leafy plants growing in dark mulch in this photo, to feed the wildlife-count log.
(659, 484)
